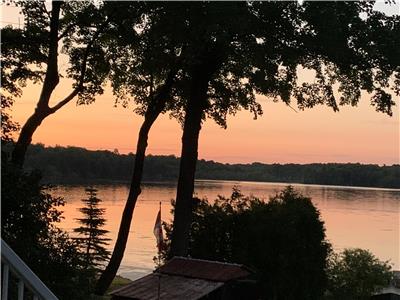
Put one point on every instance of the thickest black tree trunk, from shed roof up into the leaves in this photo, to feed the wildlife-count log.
(208, 64)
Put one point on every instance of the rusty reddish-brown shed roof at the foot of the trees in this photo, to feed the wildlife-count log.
(171, 287)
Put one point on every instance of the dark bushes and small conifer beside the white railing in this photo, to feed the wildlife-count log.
(68, 265)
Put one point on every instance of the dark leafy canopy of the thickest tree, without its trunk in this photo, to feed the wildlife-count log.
(264, 46)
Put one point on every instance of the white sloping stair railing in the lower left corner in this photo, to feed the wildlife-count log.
(26, 278)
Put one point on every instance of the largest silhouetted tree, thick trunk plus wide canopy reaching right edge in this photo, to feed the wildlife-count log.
(260, 47)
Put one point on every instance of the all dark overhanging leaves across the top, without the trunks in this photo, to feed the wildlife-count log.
(262, 48)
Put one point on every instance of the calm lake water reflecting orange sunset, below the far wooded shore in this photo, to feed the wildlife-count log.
(366, 218)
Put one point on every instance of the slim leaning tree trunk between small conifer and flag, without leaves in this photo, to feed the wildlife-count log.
(151, 115)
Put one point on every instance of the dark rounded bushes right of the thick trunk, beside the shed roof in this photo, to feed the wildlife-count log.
(283, 241)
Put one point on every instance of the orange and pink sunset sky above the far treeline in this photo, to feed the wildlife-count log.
(355, 134)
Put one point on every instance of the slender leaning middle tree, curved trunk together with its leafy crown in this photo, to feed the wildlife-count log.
(151, 63)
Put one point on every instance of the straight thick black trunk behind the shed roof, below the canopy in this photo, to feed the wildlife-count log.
(184, 196)
